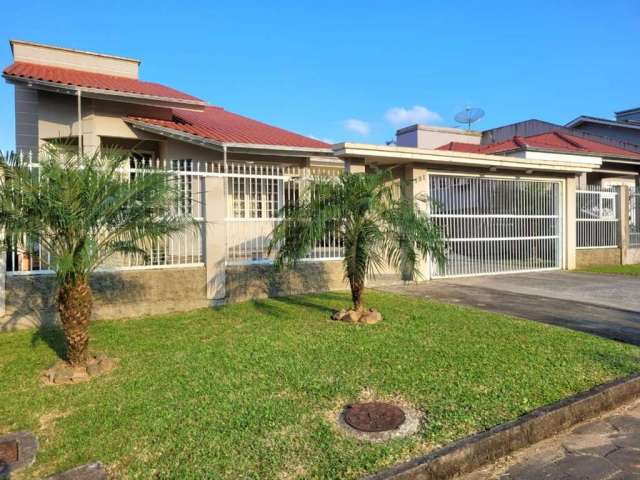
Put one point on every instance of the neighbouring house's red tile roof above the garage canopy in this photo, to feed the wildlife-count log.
(550, 141)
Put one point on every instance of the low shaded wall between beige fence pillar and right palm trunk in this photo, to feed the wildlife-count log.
(245, 282)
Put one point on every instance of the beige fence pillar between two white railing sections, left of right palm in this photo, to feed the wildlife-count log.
(215, 237)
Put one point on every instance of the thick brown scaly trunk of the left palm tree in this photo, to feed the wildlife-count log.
(75, 302)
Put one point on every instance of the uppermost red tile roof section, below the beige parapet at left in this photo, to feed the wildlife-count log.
(79, 78)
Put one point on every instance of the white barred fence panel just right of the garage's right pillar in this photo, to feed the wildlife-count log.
(597, 217)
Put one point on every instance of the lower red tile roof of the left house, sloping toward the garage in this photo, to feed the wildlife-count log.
(217, 124)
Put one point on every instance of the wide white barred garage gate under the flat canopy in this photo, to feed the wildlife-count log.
(497, 225)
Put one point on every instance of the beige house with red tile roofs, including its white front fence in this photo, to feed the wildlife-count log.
(236, 173)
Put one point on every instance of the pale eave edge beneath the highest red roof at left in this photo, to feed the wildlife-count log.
(109, 94)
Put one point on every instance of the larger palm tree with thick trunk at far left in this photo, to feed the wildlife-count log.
(83, 210)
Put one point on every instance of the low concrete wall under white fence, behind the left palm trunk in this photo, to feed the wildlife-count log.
(30, 298)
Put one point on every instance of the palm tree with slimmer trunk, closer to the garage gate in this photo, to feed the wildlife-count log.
(377, 227)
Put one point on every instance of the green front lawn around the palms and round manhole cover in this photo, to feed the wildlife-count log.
(250, 390)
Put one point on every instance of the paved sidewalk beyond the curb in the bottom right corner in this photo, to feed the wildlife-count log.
(607, 448)
